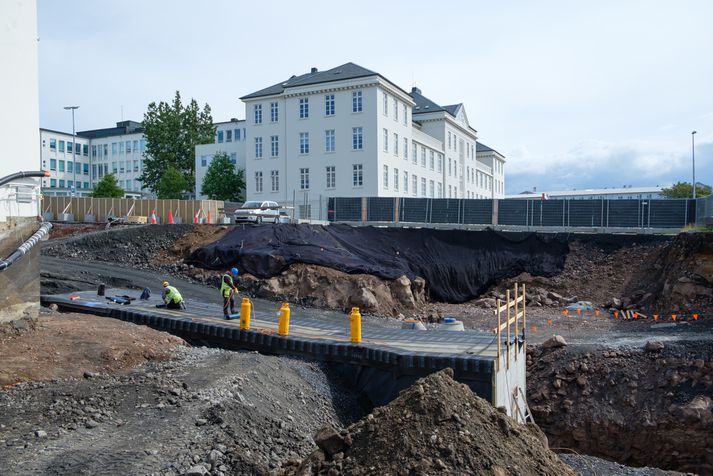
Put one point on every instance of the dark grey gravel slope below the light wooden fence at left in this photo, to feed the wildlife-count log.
(135, 246)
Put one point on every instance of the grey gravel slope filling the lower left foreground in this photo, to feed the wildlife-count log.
(227, 412)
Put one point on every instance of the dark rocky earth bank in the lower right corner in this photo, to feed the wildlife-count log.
(649, 406)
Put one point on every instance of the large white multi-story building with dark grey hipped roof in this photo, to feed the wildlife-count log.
(350, 131)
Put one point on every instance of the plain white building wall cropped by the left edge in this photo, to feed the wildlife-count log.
(19, 96)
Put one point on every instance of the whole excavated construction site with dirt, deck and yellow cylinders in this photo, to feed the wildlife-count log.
(402, 351)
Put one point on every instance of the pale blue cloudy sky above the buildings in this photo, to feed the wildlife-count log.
(574, 94)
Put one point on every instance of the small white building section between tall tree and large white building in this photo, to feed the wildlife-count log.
(230, 139)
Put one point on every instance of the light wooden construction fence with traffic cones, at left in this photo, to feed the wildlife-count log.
(87, 209)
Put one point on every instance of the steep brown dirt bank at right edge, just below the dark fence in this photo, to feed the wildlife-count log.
(678, 278)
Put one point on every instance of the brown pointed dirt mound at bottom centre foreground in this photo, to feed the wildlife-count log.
(438, 426)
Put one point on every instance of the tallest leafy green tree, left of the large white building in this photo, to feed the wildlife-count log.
(172, 132)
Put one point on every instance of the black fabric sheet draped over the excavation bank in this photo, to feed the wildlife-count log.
(457, 265)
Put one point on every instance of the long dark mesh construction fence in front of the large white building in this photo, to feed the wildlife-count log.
(657, 213)
